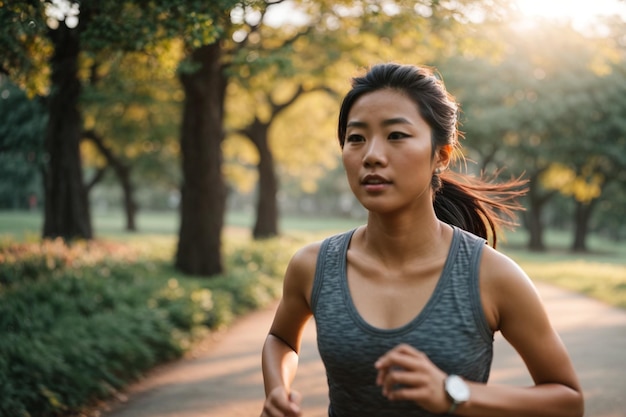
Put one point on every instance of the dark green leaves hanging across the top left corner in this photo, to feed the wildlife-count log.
(105, 27)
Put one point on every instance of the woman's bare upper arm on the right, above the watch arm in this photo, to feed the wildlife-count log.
(515, 308)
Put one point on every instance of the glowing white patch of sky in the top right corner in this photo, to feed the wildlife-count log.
(581, 12)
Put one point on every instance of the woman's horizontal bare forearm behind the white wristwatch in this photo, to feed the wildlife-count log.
(553, 400)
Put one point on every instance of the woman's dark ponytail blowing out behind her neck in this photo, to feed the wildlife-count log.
(475, 205)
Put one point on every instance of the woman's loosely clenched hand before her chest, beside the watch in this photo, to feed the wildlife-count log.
(405, 373)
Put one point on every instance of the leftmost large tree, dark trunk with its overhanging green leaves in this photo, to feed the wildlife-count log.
(56, 35)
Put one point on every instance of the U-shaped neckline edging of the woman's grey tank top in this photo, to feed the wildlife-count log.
(422, 315)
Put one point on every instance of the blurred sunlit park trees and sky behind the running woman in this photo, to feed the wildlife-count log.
(226, 112)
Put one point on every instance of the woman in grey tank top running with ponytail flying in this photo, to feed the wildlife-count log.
(406, 306)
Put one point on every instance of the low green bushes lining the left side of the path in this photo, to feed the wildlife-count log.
(78, 323)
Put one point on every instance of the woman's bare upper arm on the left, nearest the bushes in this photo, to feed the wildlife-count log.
(294, 308)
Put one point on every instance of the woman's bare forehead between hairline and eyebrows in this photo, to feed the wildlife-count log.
(383, 104)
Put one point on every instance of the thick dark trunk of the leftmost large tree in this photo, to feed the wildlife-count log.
(66, 212)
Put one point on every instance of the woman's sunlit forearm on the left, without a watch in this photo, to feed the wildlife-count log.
(279, 364)
